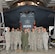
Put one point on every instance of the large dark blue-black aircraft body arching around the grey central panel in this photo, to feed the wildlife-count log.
(43, 16)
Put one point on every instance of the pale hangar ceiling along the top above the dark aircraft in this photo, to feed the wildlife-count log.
(8, 3)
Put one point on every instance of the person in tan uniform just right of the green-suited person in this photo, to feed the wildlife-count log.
(33, 40)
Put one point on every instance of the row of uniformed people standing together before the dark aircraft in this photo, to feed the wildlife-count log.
(28, 39)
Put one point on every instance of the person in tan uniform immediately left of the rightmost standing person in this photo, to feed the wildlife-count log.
(39, 40)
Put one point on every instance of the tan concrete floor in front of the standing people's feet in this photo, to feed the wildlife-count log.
(50, 51)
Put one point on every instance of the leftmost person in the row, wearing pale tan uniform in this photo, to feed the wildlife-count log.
(7, 38)
